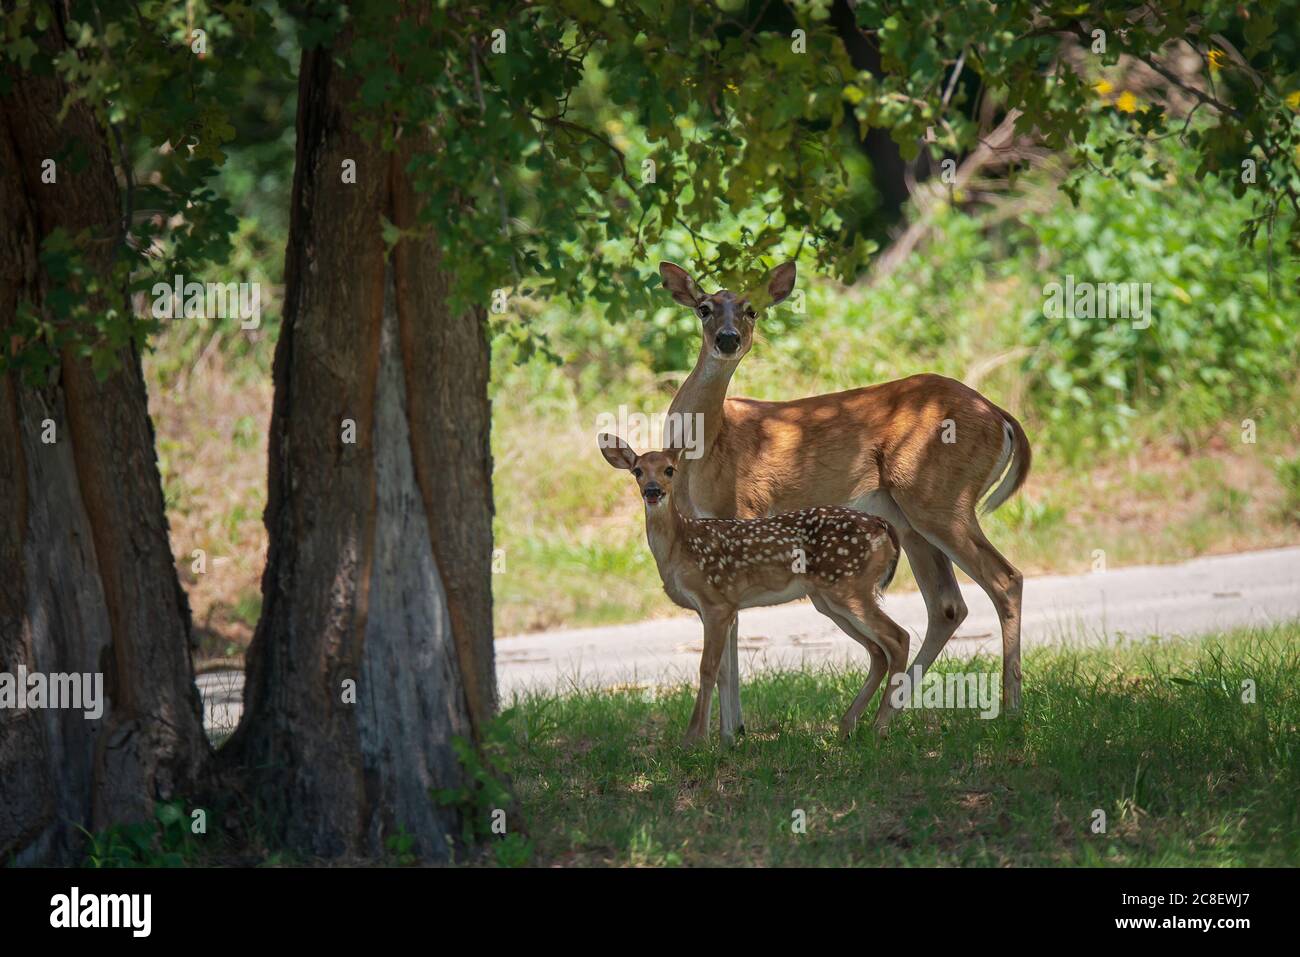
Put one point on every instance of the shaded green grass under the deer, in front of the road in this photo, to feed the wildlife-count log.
(1155, 734)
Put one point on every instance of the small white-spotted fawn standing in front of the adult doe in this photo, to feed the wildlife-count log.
(840, 558)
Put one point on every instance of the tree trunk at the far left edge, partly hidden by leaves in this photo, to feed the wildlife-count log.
(88, 581)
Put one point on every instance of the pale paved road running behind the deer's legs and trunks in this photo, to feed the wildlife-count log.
(1195, 597)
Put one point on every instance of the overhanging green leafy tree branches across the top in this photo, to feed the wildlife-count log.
(569, 141)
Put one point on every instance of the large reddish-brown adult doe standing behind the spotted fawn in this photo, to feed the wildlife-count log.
(920, 453)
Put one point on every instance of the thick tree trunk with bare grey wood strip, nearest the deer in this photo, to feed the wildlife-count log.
(380, 543)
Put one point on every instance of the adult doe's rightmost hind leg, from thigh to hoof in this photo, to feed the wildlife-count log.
(964, 542)
